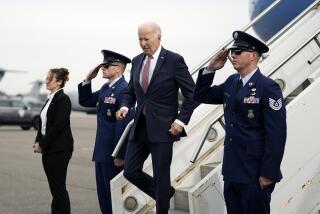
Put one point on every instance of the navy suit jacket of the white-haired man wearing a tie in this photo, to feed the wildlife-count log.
(160, 102)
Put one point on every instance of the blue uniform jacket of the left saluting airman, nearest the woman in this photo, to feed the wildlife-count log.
(109, 130)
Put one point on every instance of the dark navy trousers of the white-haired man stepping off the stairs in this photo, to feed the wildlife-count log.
(159, 186)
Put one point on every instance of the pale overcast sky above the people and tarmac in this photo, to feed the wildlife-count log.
(37, 35)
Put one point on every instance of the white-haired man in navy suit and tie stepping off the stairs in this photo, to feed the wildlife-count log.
(157, 75)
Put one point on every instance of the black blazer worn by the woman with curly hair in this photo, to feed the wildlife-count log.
(58, 135)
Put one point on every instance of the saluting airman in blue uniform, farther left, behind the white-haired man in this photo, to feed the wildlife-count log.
(107, 101)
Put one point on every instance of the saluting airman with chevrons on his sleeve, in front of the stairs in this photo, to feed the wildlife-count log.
(255, 118)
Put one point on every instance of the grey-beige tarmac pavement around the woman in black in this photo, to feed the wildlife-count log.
(23, 186)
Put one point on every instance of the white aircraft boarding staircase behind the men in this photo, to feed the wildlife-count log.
(294, 63)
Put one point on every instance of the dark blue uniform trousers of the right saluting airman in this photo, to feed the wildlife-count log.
(247, 198)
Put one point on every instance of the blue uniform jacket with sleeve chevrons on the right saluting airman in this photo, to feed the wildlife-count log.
(255, 118)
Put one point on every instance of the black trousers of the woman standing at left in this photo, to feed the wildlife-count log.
(55, 166)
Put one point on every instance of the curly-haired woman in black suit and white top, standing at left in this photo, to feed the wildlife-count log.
(54, 139)
